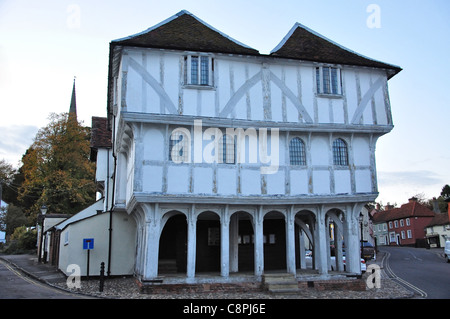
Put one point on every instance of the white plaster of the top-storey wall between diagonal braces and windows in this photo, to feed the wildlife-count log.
(231, 73)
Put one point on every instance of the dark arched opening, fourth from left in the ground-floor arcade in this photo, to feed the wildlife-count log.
(274, 232)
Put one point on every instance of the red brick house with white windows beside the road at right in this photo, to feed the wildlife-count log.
(405, 225)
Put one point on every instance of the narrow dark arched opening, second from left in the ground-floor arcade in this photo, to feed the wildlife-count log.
(208, 242)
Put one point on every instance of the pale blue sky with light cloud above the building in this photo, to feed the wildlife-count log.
(43, 44)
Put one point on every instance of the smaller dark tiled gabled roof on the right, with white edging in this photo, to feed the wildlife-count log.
(305, 44)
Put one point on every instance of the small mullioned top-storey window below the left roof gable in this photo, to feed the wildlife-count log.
(198, 70)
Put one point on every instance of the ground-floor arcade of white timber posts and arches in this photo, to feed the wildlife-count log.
(192, 239)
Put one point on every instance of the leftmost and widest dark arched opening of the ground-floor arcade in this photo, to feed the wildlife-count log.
(173, 245)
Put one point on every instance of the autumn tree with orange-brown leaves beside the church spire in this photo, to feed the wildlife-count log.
(56, 168)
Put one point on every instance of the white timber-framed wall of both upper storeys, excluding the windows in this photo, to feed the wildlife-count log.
(258, 91)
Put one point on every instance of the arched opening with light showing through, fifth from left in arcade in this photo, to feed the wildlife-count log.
(305, 248)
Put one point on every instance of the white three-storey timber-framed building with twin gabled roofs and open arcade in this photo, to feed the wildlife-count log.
(227, 158)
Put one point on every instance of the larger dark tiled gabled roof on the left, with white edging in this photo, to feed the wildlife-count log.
(184, 31)
